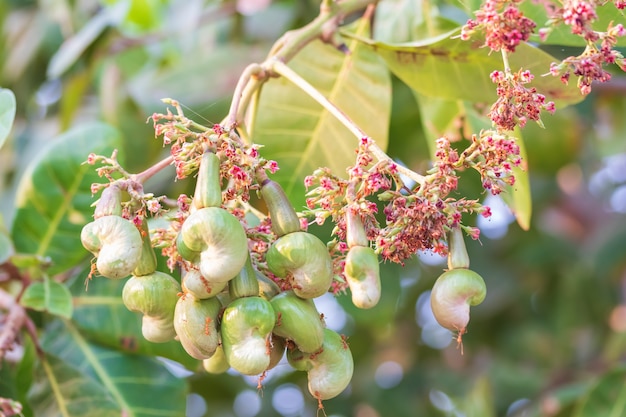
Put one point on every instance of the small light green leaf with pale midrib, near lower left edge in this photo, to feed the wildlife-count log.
(48, 296)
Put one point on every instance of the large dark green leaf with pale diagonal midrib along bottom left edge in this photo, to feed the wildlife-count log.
(104, 379)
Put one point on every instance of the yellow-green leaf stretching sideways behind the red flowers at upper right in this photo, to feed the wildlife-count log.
(445, 66)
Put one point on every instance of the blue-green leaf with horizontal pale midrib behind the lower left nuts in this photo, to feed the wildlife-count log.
(102, 317)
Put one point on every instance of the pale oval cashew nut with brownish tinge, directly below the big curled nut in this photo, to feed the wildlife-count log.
(195, 321)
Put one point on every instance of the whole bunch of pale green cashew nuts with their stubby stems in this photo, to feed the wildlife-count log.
(227, 313)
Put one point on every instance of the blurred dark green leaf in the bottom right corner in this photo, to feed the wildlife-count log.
(607, 398)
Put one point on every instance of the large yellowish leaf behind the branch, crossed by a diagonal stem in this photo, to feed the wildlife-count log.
(302, 136)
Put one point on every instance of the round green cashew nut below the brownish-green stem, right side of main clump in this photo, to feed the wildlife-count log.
(304, 260)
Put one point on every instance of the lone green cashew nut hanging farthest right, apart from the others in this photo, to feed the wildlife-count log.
(453, 294)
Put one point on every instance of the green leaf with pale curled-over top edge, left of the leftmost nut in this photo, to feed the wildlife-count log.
(54, 196)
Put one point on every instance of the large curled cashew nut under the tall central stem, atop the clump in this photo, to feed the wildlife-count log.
(219, 241)
